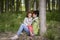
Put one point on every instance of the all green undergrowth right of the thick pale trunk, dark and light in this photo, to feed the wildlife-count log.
(53, 25)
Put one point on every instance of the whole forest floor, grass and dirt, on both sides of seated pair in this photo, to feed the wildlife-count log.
(10, 22)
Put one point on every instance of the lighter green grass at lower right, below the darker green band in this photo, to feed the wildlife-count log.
(53, 32)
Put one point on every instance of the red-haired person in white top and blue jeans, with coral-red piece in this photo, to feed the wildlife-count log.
(26, 26)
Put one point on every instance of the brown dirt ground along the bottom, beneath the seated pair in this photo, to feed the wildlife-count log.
(6, 36)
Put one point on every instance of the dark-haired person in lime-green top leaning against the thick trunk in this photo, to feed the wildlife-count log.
(35, 23)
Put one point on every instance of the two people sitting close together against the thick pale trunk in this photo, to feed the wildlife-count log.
(30, 25)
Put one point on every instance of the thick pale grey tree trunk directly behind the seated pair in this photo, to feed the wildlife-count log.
(42, 13)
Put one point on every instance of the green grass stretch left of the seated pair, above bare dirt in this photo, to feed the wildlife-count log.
(11, 21)
